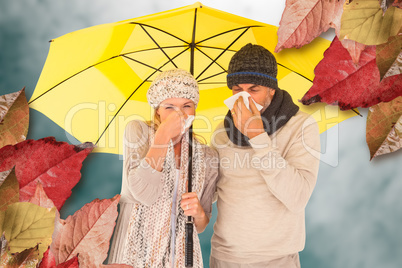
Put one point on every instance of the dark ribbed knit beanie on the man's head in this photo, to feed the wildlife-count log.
(253, 64)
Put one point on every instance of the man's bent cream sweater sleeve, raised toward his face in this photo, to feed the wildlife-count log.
(291, 178)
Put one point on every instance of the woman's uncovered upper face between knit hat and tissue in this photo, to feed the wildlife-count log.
(183, 106)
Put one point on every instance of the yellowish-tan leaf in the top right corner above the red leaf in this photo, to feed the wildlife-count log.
(363, 21)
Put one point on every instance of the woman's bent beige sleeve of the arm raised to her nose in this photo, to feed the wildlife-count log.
(143, 182)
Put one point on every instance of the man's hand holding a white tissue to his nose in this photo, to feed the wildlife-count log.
(249, 123)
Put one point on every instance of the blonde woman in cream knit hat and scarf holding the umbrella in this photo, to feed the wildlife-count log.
(154, 202)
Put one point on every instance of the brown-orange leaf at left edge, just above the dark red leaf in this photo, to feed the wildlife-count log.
(14, 118)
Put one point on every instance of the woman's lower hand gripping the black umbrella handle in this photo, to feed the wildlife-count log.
(192, 207)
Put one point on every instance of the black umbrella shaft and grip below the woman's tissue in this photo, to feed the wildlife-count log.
(189, 224)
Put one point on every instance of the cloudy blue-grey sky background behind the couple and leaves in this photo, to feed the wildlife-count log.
(355, 214)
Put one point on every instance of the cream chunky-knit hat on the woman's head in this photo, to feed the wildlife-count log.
(175, 83)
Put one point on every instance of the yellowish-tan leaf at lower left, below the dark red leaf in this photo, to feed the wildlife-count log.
(25, 225)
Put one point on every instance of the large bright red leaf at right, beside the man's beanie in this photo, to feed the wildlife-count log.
(339, 81)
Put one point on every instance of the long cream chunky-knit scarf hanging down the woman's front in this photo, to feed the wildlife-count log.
(149, 233)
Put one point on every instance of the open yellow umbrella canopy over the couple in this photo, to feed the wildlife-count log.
(95, 80)
